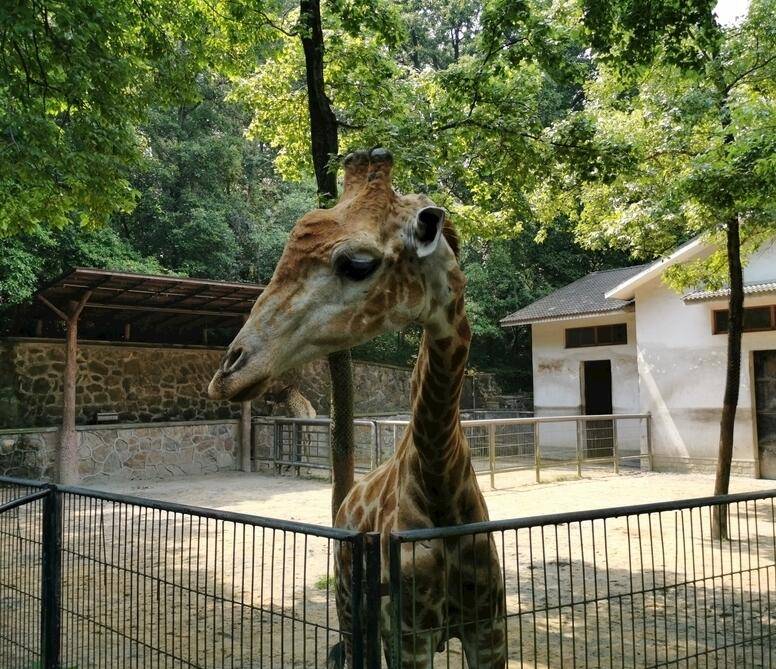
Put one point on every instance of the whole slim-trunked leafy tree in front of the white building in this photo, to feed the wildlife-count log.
(676, 140)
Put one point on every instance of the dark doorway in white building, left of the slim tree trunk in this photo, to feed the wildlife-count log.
(597, 396)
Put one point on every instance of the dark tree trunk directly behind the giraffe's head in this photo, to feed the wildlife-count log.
(324, 143)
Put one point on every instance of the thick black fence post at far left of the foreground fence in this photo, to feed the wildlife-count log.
(51, 586)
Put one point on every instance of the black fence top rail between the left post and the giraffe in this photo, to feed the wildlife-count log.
(215, 514)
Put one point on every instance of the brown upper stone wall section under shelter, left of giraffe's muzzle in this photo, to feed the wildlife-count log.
(140, 383)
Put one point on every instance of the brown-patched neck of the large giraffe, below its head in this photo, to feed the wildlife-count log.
(436, 391)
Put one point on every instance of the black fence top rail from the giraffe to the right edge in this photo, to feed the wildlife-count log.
(578, 516)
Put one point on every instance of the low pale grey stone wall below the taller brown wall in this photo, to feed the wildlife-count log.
(134, 451)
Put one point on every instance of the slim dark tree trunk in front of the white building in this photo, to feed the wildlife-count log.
(733, 378)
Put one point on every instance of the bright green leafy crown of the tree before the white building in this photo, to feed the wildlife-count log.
(681, 153)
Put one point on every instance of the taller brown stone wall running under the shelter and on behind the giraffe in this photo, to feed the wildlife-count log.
(144, 383)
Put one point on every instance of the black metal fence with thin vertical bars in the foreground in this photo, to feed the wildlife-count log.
(91, 579)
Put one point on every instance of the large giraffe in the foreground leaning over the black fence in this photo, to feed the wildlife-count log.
(377, 262)
